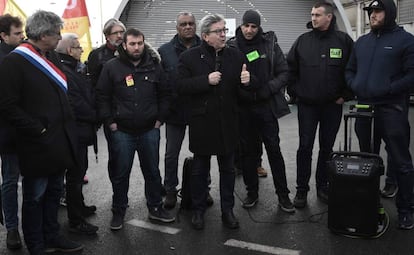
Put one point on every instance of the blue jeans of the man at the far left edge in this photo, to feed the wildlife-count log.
(10, 173)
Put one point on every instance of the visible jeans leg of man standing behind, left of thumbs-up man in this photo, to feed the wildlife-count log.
(174, 136)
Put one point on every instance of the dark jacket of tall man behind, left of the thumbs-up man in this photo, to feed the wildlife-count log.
(178, 112)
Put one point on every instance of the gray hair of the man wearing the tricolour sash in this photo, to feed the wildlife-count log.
(42, 23)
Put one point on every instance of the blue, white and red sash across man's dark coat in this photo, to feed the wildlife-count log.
(28, 52)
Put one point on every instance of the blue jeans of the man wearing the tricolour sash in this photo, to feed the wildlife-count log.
(41, 197)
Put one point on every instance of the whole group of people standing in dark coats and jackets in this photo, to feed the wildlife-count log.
(230, 93)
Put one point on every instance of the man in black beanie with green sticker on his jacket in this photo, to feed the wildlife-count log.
(261, 107)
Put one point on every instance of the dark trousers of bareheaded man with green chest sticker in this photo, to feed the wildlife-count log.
(329, 117)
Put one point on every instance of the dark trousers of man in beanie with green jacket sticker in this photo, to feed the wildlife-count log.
(258, 124)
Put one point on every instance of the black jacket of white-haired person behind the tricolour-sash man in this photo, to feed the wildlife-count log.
(82, 99)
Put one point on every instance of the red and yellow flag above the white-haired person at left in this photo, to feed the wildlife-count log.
(77, 21)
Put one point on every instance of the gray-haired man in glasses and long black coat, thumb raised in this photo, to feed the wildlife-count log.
(212, 75)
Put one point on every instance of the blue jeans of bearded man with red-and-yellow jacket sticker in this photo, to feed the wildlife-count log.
(123, 149)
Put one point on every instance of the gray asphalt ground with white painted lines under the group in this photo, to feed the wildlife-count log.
(264, 229)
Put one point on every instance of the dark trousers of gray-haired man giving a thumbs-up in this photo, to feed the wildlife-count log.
(199, 181)
